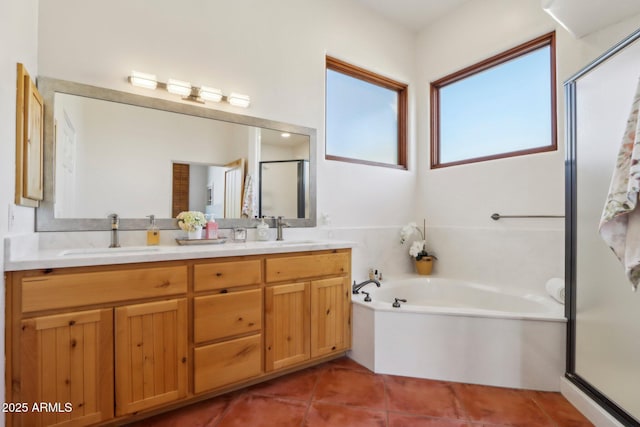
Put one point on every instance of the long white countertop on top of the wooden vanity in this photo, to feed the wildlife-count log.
(80, 257)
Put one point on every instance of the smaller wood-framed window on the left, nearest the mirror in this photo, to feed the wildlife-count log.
(366, 117)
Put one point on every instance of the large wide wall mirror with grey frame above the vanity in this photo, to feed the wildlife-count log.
(116, 152)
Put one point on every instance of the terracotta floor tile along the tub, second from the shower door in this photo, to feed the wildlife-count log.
(496, 405)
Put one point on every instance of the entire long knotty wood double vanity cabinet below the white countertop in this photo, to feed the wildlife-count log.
(107, 344)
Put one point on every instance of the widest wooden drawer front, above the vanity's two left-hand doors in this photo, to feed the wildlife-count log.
(73, 290)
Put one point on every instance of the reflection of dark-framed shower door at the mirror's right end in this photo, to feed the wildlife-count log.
(284, 188)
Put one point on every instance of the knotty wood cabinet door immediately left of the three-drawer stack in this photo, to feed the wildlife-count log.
(151, 354)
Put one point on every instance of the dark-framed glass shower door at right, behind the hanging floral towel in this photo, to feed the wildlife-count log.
(603, 357)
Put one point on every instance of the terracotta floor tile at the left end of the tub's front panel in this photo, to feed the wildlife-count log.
(422, 397)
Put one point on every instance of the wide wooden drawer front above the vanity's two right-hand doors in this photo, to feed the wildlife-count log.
(299, 267)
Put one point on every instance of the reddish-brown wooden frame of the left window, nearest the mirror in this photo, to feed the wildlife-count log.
(401, 89)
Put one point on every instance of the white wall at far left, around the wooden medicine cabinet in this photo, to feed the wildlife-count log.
(18, 30)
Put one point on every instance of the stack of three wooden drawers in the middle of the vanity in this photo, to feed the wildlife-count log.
(227, 323)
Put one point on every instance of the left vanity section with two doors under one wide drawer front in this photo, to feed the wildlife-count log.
(64, 327)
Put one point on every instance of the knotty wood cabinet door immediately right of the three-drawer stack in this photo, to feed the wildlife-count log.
(286, 325)
